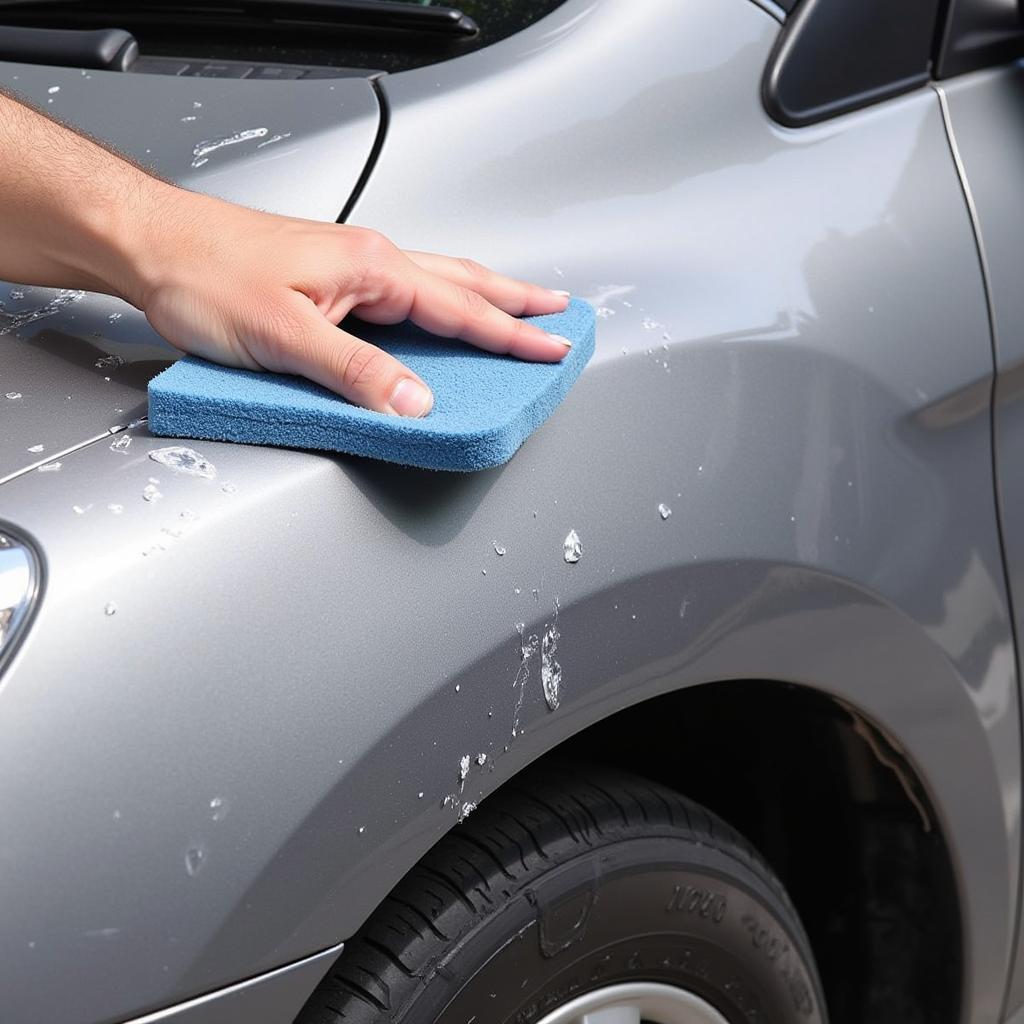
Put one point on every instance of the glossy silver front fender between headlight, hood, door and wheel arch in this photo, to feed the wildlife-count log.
(230, 773)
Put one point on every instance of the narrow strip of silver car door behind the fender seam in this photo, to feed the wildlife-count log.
(986, 111)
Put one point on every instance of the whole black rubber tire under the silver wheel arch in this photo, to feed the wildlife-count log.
(556, 892)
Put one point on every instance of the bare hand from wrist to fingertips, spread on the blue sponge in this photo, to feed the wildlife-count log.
(265, 292)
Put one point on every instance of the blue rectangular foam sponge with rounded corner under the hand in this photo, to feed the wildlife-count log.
(486, 406)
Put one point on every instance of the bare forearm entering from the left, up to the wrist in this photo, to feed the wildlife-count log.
(72, 214)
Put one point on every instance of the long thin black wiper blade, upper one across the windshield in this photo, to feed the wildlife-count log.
(372, 15)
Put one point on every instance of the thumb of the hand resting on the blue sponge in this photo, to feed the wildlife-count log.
(358, 371)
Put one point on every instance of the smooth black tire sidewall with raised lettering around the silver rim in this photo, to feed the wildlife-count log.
(654, 909)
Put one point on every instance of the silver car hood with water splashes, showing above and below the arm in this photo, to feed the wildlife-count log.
(74, 366)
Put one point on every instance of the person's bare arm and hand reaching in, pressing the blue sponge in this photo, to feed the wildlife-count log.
(238, 286)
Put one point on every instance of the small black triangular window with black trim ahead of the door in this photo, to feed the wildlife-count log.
(838, 56)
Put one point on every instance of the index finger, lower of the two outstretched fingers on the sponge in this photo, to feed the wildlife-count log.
(453, 312)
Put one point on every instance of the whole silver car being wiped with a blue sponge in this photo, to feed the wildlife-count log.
(705, 707)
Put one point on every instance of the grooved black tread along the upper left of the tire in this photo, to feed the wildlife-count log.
(508, 842)
